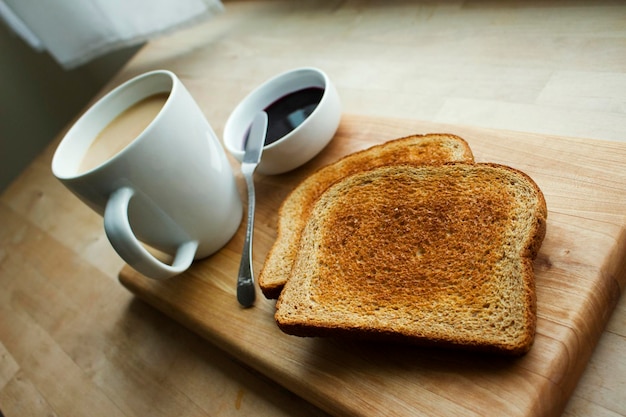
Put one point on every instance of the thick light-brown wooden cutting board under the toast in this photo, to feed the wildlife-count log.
(580, 271)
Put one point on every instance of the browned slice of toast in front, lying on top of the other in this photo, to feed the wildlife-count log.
(437, 255)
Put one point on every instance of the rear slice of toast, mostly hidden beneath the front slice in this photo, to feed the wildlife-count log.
(294, 211)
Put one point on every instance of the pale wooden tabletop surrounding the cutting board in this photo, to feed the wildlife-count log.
(74, 342)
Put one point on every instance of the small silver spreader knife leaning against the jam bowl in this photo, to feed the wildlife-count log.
(251, 158)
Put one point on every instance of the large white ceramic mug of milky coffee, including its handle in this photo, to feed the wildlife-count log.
(171, 188)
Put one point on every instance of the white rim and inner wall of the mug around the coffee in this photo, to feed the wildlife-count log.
(73, 146)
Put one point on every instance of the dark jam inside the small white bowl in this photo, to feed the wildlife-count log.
(290, 111)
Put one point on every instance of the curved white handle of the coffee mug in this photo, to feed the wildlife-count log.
(126, 244)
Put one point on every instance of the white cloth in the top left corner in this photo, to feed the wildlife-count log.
(76, 31)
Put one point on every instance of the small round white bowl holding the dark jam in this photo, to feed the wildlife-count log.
(300, 144)
